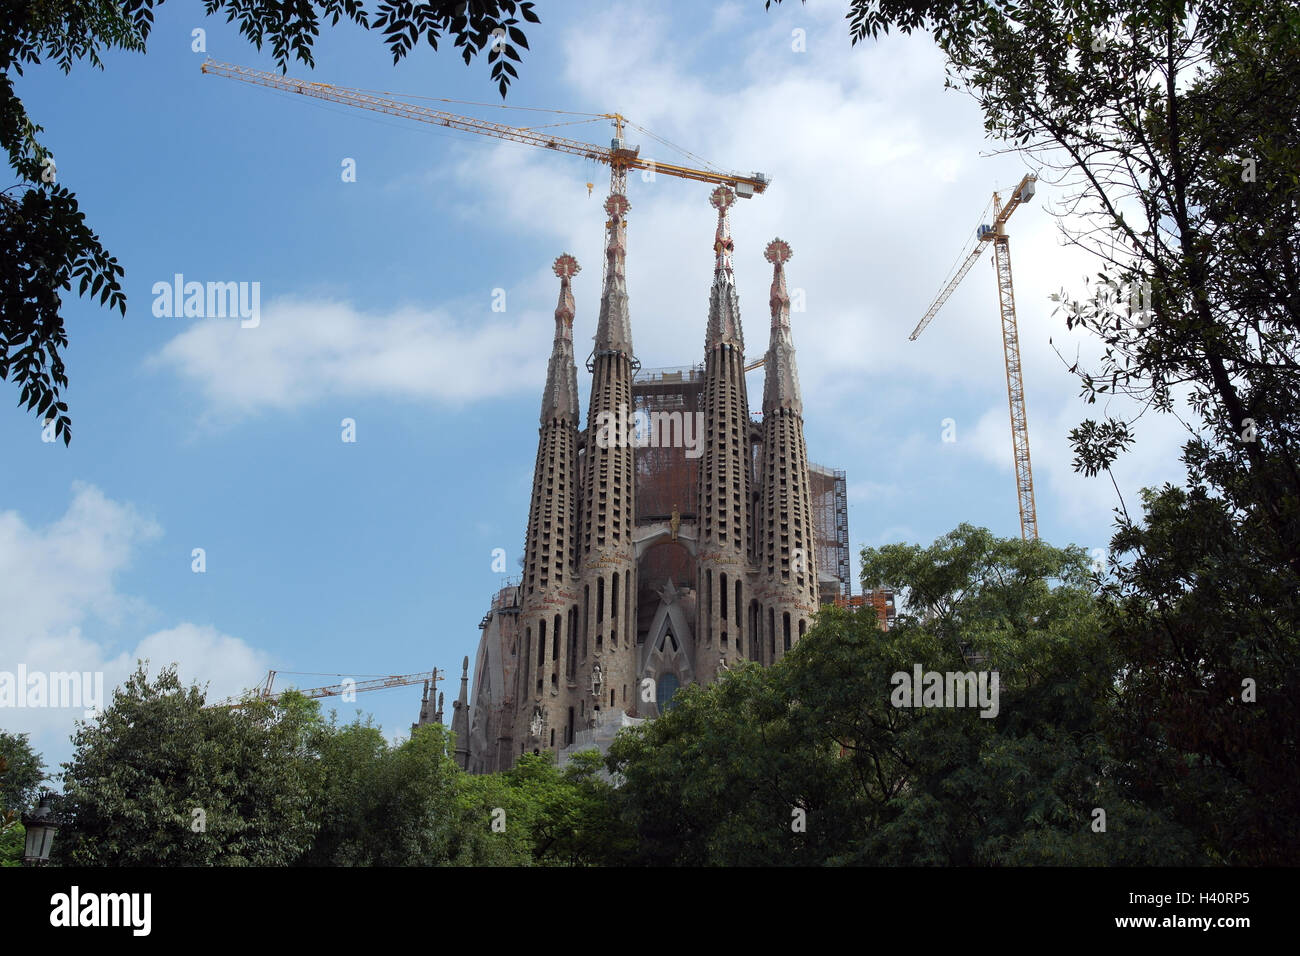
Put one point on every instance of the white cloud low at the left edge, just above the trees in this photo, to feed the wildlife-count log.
(60, 598)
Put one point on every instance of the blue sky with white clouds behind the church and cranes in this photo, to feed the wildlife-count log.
(376, 305)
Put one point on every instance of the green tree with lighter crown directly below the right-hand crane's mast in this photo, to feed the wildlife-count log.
(1025, 786)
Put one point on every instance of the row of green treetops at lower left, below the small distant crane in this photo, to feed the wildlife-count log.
(162, 780)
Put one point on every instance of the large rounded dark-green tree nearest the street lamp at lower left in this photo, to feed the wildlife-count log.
(158, 780)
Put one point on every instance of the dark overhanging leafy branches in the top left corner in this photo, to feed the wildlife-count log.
(45, 243)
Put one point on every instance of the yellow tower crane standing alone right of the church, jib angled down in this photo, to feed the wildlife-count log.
(996, 236)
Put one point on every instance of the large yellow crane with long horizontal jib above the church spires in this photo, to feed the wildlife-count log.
(619, 157)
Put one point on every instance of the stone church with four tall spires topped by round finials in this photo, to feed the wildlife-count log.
(622, 602)
